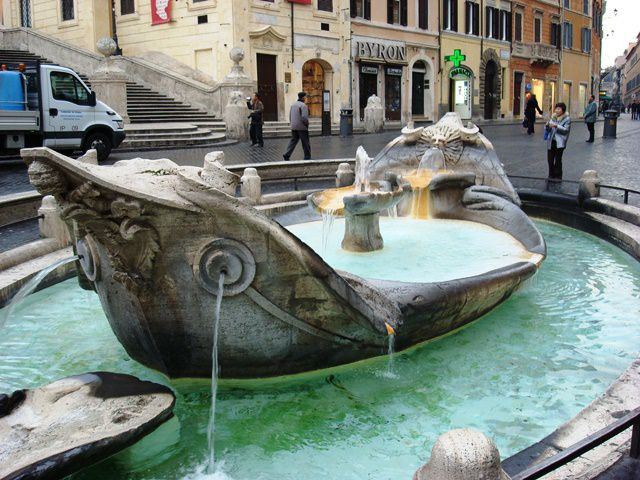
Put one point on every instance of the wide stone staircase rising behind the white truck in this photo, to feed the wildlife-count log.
(174, 123)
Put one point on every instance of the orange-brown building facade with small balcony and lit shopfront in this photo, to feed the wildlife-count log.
(535, 60)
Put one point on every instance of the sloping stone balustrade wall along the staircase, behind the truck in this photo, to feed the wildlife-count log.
(170, 83)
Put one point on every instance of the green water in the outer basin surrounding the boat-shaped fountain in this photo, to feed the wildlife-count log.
(515, 374)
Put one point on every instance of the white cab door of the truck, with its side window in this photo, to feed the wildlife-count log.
(67, 111)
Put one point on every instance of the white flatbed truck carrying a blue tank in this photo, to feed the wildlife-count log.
(50, 106)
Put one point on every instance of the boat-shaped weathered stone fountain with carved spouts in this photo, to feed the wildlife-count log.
(155, 238)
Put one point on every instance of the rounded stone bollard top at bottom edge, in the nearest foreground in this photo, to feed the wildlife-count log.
(463, 454)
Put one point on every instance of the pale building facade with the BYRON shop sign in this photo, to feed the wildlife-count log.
(395, 56)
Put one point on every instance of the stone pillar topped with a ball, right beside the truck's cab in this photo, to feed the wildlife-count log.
(109, 81)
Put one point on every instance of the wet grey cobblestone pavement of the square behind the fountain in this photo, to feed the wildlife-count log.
(614, 159)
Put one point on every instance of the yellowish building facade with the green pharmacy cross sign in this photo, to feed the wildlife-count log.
(475, 52)
